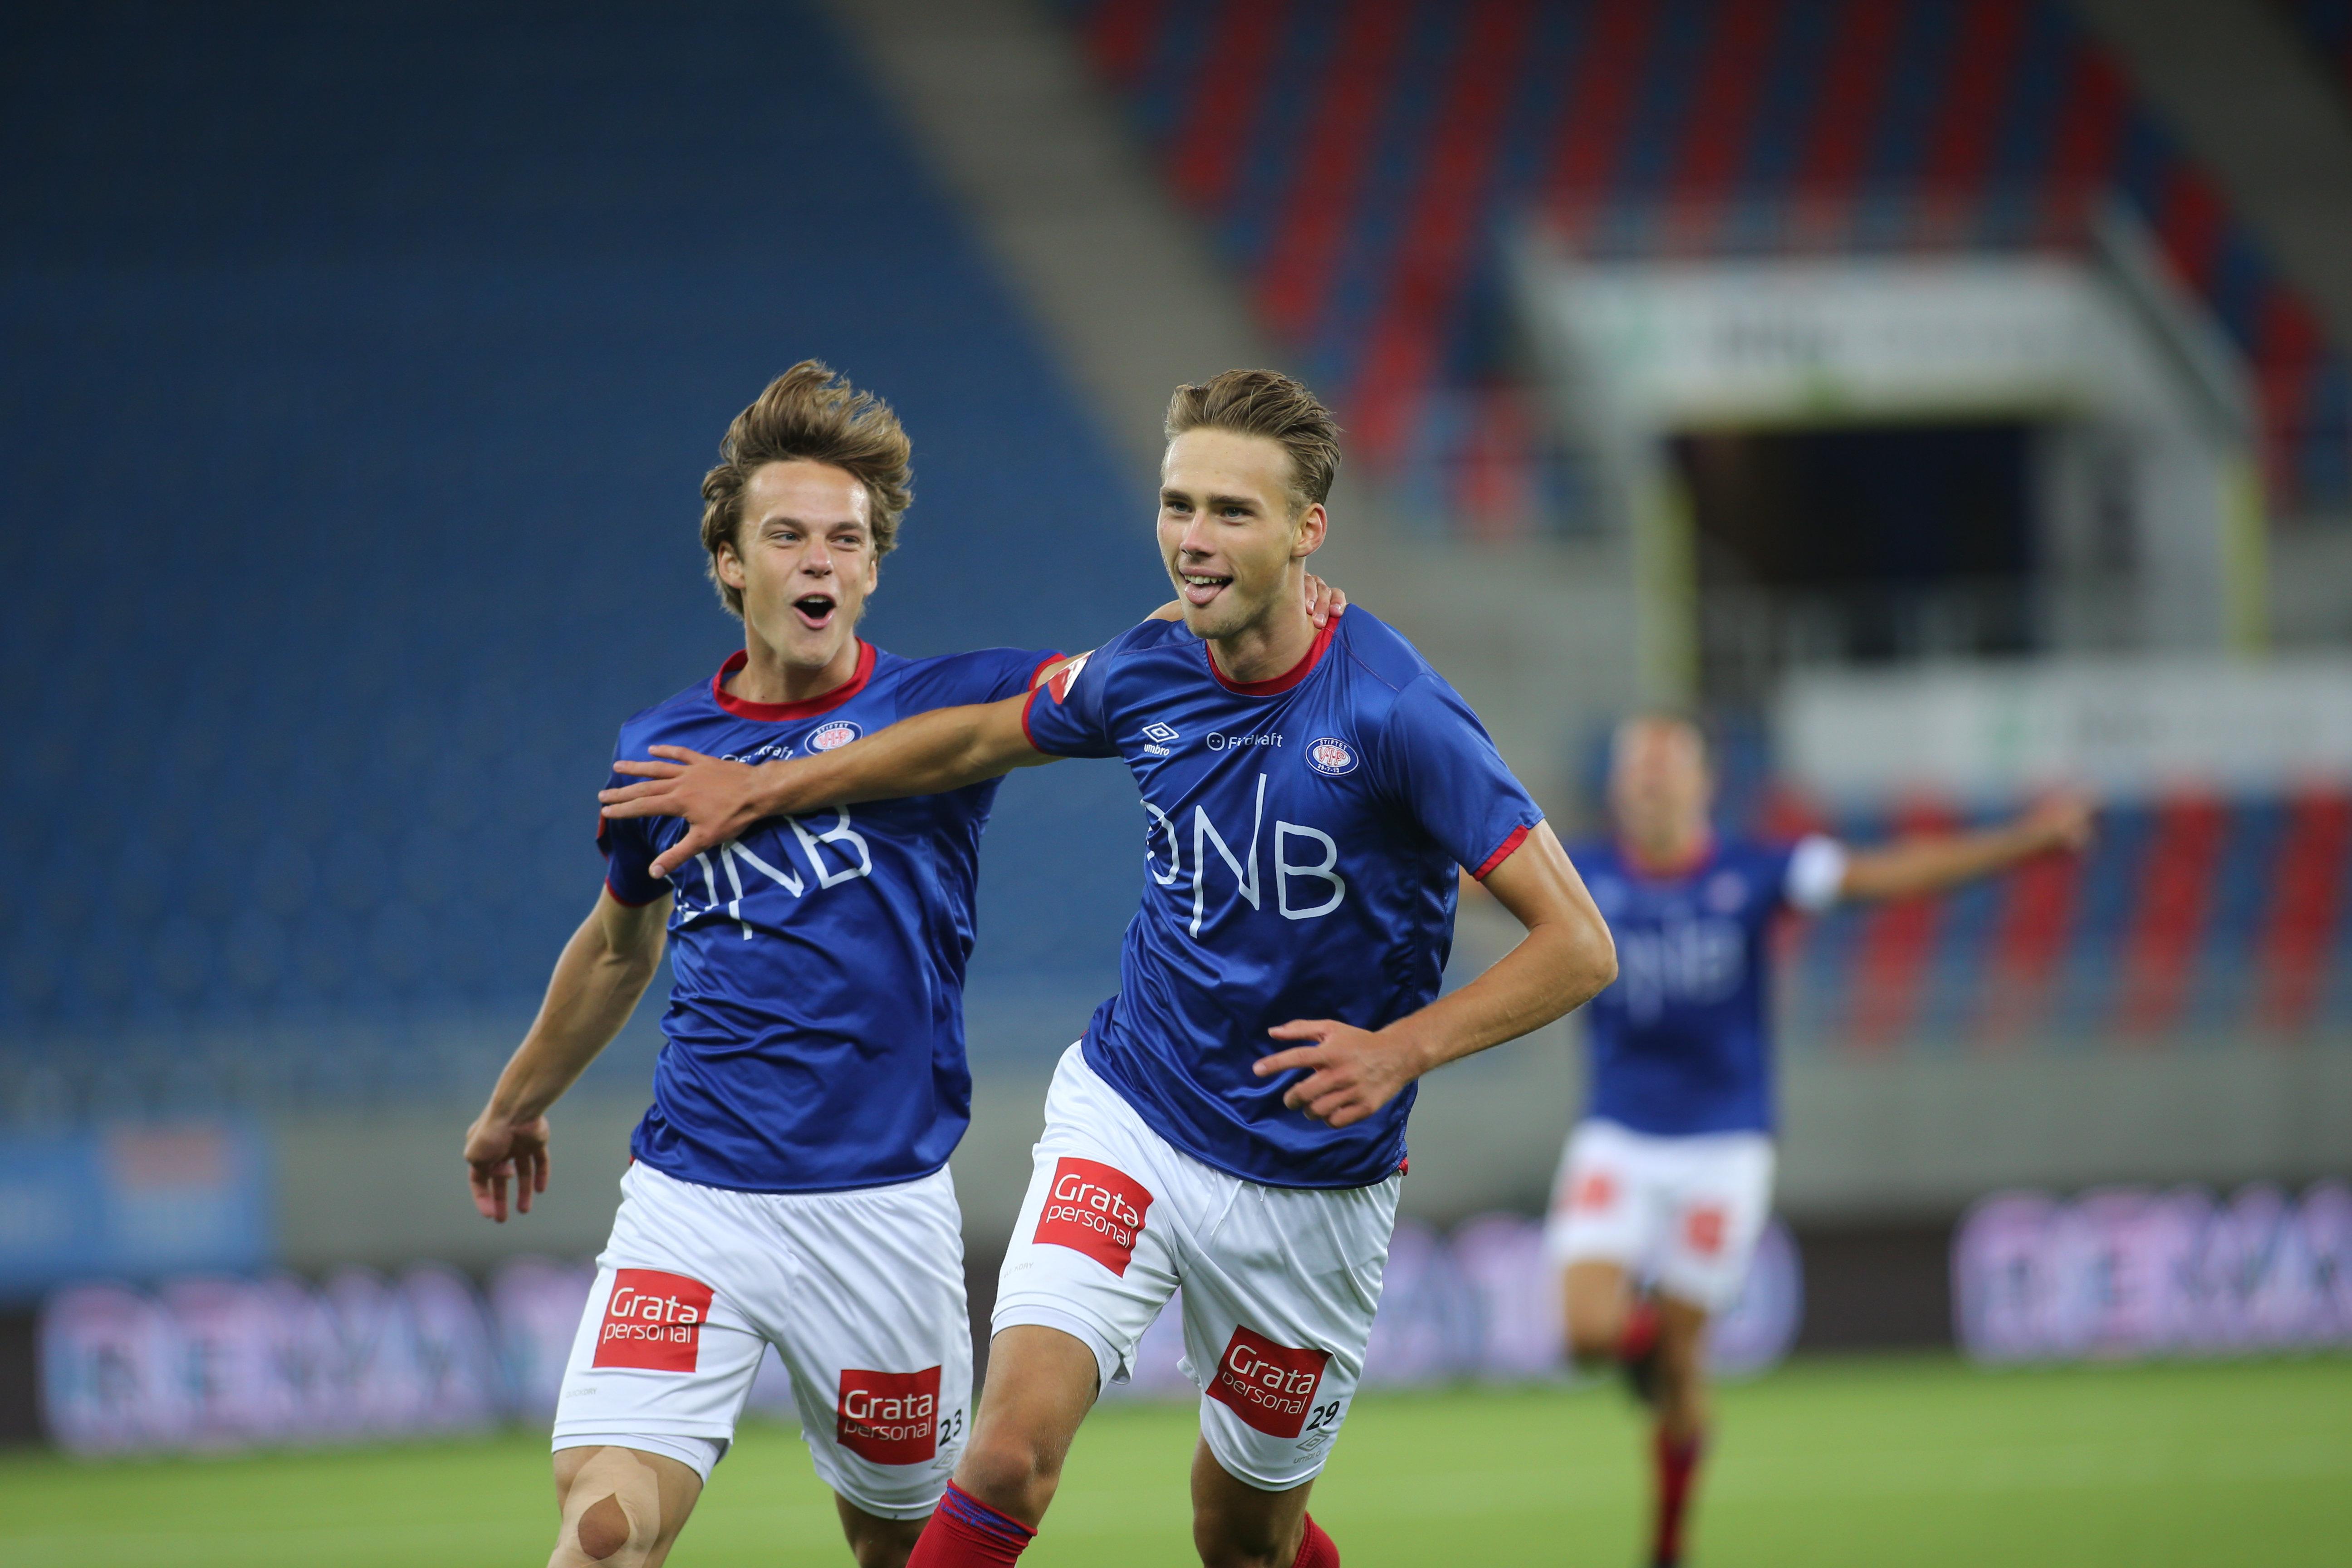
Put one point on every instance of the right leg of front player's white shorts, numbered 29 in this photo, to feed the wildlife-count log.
(1278, 1304)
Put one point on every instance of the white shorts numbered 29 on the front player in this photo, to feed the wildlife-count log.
(1278, 1282)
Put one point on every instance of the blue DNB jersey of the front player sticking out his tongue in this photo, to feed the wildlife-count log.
(1299, 847)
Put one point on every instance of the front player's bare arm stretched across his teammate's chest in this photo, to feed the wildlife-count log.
(944, 749)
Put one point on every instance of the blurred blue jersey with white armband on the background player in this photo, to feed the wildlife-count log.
(1683, 1040)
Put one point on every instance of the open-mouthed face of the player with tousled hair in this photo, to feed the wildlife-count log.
(803, 558)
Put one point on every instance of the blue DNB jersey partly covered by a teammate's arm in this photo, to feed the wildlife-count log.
(817, 1010)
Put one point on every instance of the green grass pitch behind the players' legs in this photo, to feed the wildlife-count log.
(1906, 1461)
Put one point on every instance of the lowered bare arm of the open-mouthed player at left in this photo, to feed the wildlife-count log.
(599, 979)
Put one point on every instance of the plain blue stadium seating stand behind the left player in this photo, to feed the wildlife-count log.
(359, 394)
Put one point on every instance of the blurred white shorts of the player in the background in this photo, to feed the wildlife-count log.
(1678, 1212)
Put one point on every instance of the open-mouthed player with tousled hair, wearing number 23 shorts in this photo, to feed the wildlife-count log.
(789, 1184)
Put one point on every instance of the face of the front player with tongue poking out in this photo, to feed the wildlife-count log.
(1227, 530)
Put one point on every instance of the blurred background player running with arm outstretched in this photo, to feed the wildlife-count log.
(1666, 1184)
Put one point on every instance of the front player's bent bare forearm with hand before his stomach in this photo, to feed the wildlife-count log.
(1563, 963)
